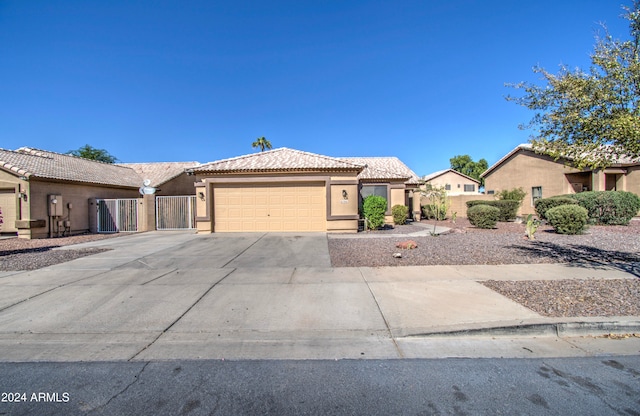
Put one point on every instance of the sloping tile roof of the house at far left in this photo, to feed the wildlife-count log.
(36, 163)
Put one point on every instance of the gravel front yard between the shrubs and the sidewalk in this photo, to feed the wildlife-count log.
(506, 244)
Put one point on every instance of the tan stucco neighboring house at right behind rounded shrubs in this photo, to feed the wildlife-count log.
(541, 176)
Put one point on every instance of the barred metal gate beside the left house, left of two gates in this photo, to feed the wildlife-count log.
(117, 215)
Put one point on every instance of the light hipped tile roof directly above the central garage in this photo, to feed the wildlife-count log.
(281, 159)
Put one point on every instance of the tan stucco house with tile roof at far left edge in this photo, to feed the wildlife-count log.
(44, 193)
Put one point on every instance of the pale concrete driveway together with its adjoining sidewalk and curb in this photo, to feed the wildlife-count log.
(177, 295)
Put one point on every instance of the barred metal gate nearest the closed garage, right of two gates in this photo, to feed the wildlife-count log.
(175, 212)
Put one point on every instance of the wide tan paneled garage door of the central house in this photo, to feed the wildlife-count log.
(275, 207)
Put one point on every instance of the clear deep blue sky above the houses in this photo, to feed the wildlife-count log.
(201, 80)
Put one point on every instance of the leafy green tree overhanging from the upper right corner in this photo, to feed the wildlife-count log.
(591, 118)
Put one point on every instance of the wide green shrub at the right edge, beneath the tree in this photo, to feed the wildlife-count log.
(609, 207)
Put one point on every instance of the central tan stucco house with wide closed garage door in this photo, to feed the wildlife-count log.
(290, 190)
